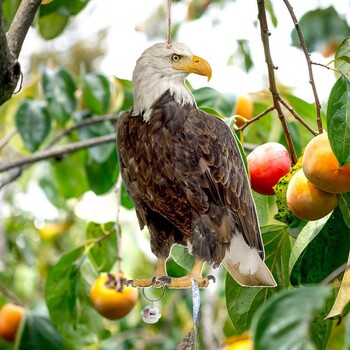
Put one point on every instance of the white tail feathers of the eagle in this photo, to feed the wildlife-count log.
(245, 265)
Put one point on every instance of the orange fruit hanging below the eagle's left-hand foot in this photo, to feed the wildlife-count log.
(110, 302)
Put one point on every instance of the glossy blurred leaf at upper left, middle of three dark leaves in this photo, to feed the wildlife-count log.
(59, 89)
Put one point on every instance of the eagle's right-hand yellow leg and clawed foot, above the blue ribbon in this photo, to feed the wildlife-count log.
(186, 281)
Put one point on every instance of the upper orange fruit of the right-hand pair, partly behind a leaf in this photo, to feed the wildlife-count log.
(322, 168)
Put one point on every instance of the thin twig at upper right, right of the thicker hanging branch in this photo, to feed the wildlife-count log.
(309, 65)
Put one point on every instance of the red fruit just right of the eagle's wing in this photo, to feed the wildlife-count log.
(267, 164)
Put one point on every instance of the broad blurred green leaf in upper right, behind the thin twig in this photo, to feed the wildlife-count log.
(319, 27)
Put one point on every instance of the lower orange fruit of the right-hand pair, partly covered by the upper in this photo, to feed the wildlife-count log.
(306, 201)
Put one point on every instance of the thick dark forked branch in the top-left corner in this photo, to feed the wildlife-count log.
(11, 45)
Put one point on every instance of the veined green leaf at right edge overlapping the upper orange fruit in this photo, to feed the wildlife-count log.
(338, 120)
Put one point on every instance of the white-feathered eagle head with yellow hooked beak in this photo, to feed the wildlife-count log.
(159, 69)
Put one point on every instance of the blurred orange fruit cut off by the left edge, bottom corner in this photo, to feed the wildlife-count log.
(10, 318)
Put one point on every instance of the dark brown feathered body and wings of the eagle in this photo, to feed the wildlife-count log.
(184, 172)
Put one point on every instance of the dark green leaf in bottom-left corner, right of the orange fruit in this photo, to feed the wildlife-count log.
(38, 333)
